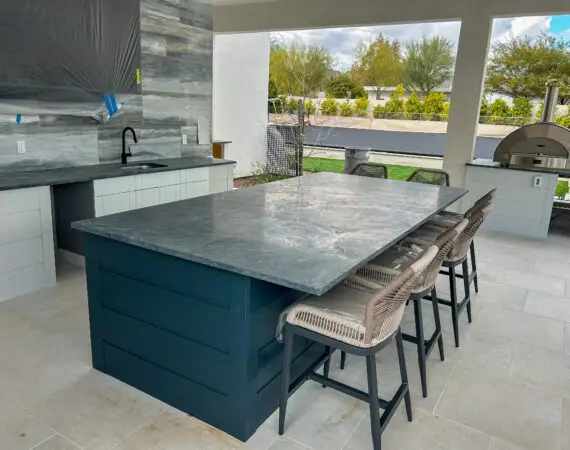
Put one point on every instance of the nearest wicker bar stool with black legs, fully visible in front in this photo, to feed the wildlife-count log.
(360, 317)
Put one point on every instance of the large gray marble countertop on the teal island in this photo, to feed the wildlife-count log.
(306, 233)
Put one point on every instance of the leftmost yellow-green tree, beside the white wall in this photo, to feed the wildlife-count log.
(299, 69)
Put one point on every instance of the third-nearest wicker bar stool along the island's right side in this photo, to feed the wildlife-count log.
(426, 235)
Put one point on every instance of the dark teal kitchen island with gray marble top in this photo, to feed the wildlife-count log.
(184, 298)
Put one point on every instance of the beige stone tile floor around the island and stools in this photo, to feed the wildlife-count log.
(507, 387)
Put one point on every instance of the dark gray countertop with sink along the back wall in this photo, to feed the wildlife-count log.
(32, 178)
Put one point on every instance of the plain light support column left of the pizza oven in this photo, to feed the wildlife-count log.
(468, 81)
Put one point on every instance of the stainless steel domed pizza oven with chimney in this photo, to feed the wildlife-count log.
(541, 145)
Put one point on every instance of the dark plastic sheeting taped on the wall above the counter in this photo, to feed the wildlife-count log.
(68, 58)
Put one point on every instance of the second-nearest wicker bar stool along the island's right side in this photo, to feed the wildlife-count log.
(389, 261)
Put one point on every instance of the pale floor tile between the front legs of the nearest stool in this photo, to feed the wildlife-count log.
(320, 418)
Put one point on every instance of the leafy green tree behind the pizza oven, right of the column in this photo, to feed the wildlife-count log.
(521, 66)
